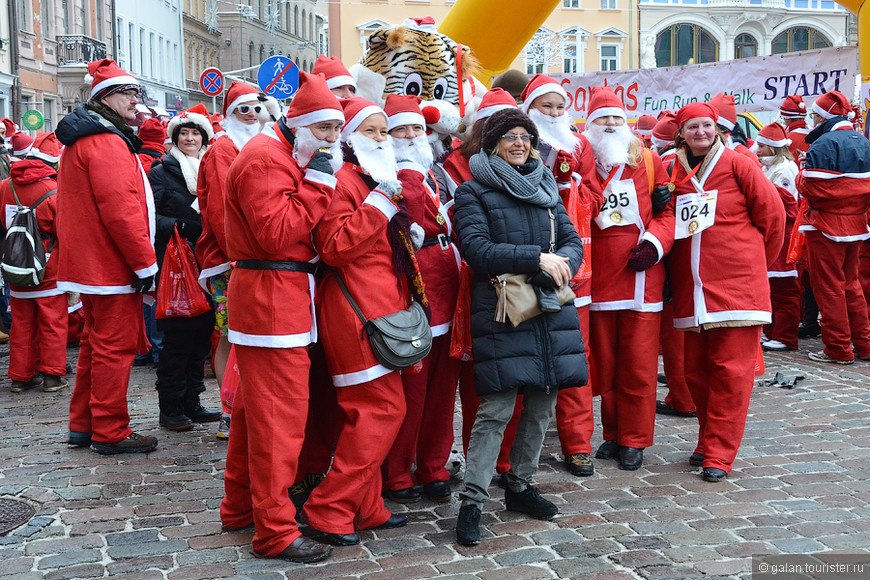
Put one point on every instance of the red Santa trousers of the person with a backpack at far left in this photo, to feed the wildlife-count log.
(37, 340)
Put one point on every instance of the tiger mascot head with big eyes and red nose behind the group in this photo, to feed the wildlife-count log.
(415, 59)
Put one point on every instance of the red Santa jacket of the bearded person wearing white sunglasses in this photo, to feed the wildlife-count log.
(211, 248)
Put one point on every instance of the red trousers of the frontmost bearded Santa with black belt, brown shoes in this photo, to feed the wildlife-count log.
(266, 434)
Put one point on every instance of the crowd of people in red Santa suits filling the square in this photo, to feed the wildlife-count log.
(553, 265)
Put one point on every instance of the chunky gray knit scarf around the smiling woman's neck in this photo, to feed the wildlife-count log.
(537, 187)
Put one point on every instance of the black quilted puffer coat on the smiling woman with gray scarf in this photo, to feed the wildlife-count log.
(499, 234)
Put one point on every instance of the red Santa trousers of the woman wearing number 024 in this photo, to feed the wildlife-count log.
(720, 370)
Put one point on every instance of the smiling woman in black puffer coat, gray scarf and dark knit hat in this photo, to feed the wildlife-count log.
(503, 224)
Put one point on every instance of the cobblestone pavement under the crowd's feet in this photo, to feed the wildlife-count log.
(799, 485)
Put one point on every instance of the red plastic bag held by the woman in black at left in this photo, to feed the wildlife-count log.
(179, 293)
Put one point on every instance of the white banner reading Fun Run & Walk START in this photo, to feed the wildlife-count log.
(758, 84)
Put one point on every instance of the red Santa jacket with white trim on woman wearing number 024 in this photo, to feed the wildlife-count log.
(720, 274)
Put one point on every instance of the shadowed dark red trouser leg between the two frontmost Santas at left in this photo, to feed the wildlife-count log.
(325, 418)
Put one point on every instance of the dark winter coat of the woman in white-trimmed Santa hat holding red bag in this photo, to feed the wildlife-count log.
(172, 202)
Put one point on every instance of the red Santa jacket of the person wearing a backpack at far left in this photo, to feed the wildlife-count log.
(32, 179)
